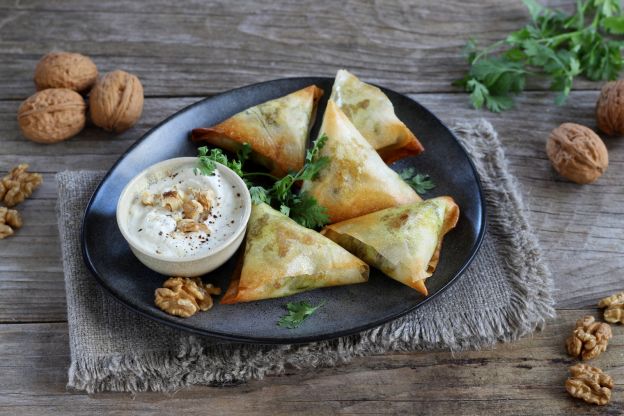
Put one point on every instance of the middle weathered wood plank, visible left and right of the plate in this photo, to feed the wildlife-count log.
(583, 247)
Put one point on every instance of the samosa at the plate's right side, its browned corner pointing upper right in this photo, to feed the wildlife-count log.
(403, 242)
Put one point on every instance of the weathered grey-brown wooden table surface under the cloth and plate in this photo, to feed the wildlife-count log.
(185, 50)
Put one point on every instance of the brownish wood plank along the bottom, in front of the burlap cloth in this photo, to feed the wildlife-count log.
(510, 379)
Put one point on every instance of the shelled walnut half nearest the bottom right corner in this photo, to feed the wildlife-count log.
(589, 384)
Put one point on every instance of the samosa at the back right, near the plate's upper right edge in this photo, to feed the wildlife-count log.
(372, 113)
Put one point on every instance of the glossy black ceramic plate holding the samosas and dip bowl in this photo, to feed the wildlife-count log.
(348, 309)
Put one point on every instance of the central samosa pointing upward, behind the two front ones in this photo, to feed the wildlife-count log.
(356, 181)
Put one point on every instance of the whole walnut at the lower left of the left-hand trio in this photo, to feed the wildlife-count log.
(52, 115)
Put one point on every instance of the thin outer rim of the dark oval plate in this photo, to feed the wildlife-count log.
(286, 340)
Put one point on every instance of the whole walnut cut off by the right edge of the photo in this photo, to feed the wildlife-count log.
(610, 108)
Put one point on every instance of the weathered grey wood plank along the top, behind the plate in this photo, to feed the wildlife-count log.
(200, 48)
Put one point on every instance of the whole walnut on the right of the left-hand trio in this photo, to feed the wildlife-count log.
(116, 101)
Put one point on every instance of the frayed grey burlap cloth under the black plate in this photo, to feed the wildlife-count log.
(504, 294)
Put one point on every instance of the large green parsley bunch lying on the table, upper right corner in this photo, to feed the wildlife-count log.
(556, 45)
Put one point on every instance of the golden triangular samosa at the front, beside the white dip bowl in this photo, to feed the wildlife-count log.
(283, 258)
